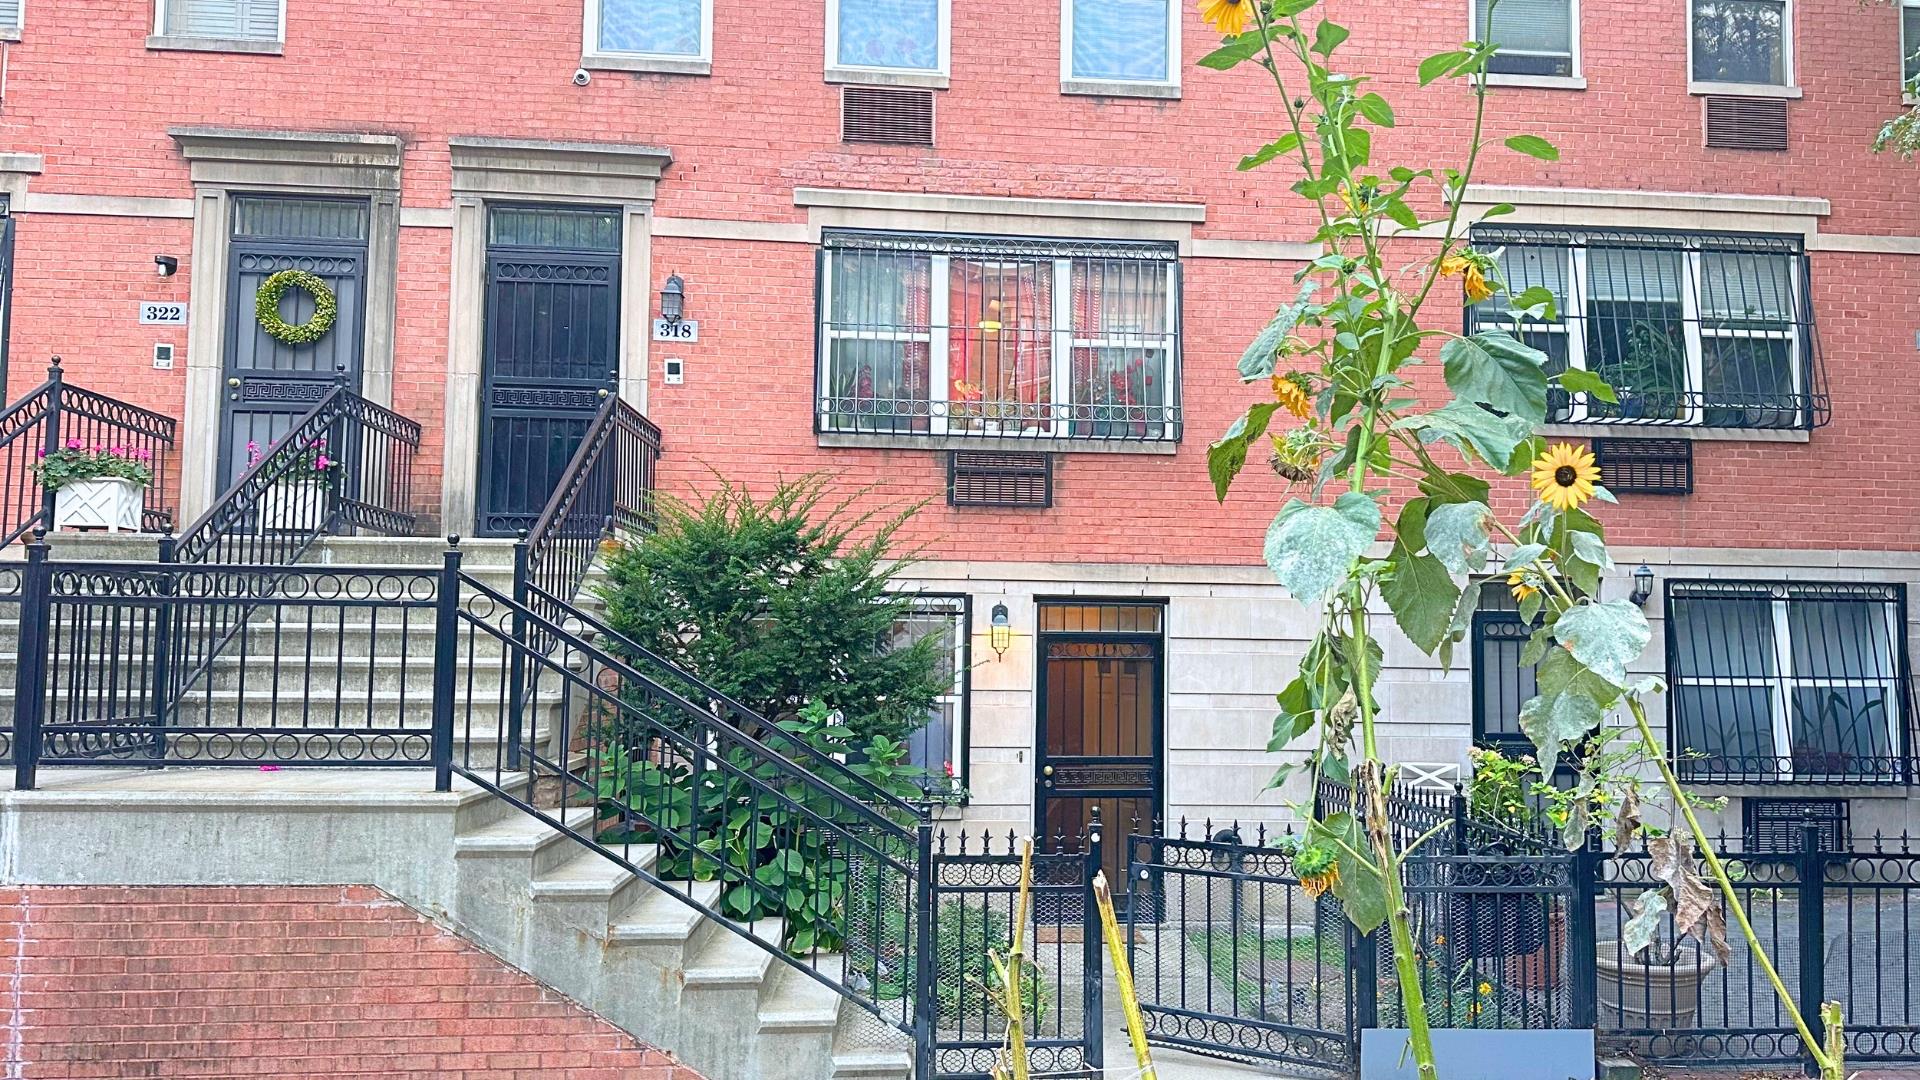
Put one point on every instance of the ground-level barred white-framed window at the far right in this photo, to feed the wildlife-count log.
(1788, 681)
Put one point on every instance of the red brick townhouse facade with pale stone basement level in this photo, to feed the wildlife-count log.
(1032, 293)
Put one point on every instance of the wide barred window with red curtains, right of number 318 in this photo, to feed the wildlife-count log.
(999, 339)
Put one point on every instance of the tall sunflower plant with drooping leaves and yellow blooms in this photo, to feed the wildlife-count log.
(1370, 456)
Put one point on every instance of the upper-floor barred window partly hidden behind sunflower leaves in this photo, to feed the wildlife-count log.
(1706, 330)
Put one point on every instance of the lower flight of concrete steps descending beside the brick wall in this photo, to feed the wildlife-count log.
(652, 964)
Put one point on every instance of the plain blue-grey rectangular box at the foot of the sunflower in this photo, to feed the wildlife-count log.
(1474, 1054)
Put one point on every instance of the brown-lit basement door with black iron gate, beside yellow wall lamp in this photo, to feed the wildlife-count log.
(1101, 725)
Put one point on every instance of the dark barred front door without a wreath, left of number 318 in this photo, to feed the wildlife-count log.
(552, 353)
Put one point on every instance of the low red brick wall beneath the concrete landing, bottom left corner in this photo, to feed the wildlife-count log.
(341, 981)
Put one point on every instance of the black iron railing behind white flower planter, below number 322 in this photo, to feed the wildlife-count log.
(55, 416)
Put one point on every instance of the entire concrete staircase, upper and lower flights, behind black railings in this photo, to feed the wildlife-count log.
(544, 902)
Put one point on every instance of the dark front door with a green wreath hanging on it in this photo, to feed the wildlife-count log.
(270, 383)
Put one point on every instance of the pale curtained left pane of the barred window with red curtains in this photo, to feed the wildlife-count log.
(878, 364)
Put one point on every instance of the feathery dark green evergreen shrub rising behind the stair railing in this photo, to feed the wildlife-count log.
(779, 602)
